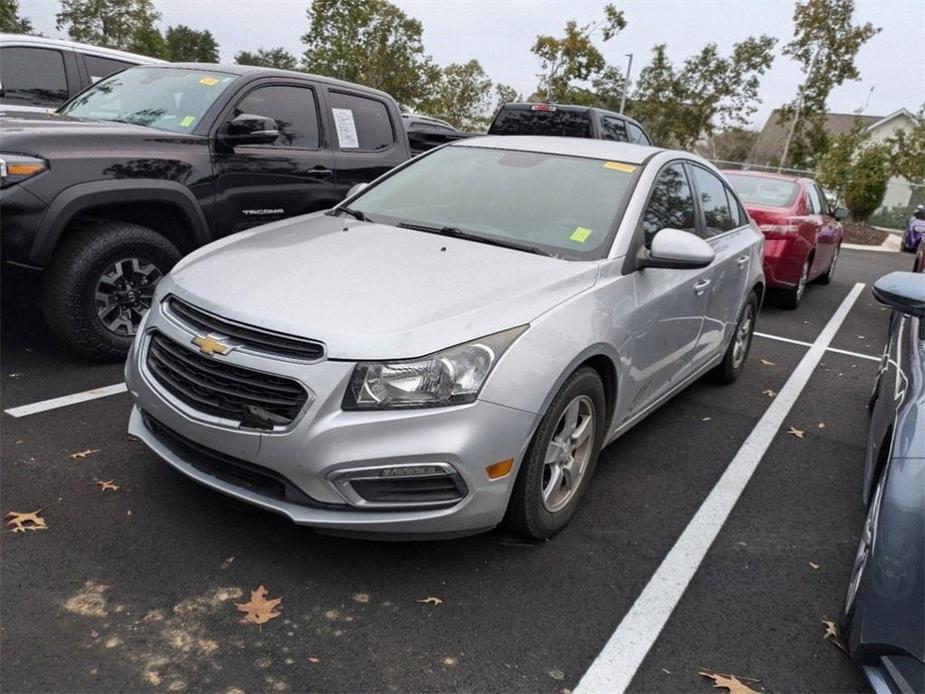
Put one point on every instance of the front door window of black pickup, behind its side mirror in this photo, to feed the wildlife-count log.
(293, 109)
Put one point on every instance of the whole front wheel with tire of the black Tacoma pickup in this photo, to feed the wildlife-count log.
(99, 284)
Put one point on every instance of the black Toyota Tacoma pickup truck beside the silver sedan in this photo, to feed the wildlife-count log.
(105, 195)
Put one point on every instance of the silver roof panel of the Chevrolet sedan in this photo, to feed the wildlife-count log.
(608, 150)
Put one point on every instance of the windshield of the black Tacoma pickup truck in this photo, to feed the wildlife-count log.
(163, 98)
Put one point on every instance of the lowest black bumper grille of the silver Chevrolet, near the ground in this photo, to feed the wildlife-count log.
(240, 473)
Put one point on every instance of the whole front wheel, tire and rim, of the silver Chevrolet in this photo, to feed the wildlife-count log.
(561, 458)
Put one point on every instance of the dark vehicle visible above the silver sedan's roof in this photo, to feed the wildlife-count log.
(567, 121)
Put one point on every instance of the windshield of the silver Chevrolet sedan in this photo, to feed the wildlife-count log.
(559, 205)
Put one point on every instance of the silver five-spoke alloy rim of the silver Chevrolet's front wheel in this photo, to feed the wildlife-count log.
(568, 454)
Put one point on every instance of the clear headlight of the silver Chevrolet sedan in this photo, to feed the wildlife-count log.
(451, 377)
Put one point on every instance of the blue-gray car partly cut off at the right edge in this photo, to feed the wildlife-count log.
(884, 615)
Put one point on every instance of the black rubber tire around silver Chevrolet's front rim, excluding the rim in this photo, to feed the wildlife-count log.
(526, 512)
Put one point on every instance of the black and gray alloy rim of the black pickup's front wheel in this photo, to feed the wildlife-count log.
(124, 292)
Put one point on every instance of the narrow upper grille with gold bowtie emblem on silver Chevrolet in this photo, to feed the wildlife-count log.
(252, 339)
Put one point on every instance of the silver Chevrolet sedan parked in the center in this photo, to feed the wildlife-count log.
(452, 346)
